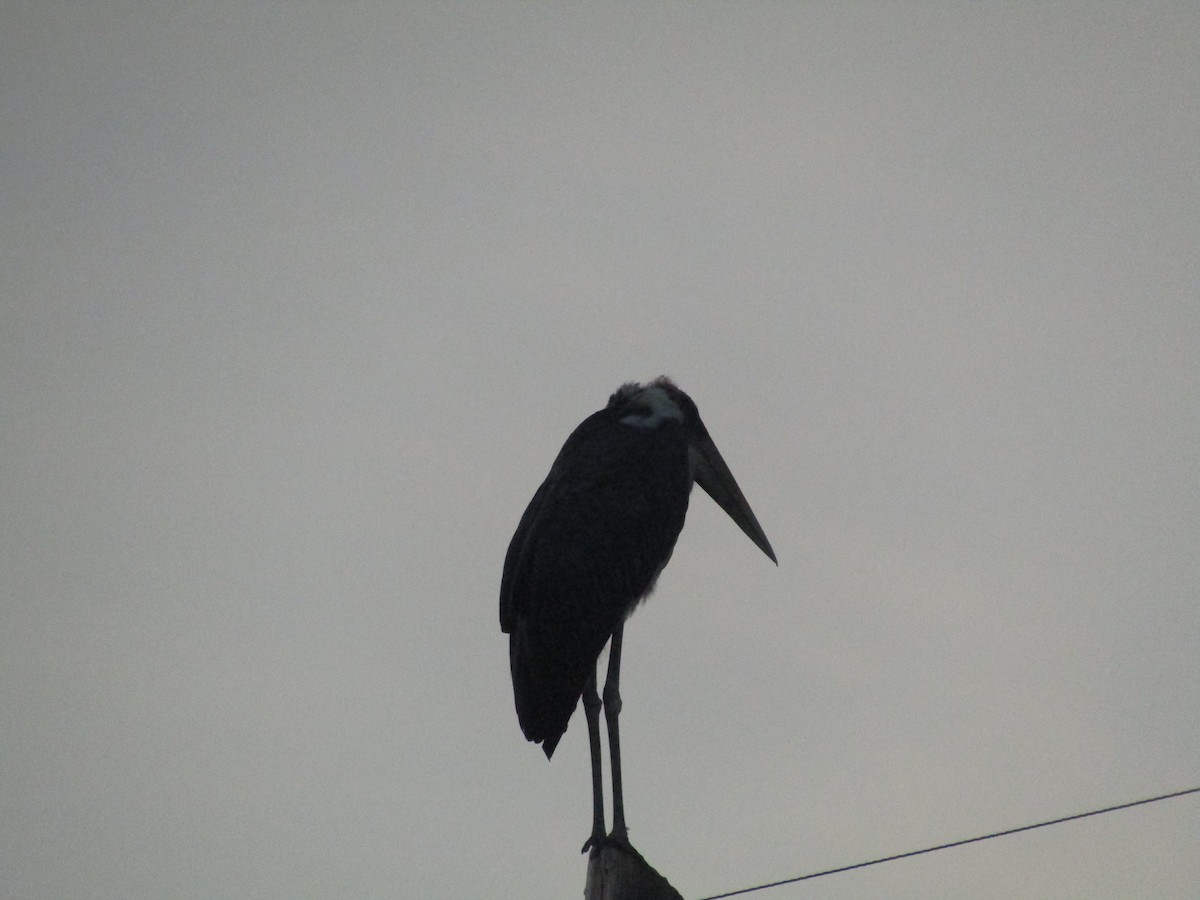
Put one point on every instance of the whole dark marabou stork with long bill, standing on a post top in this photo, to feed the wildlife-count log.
(590, 548)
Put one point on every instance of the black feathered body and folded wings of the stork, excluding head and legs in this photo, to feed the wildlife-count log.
(589, 548)
